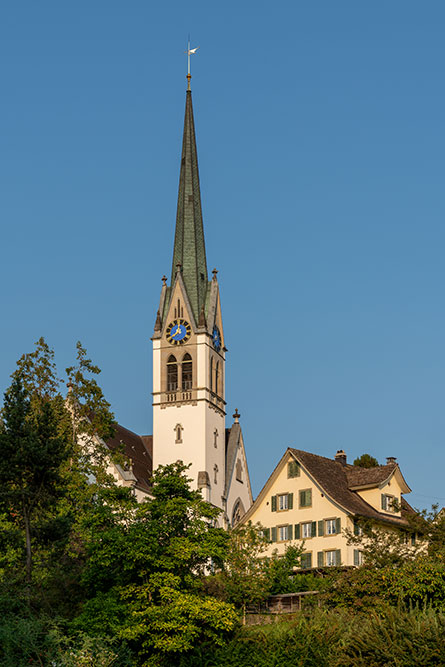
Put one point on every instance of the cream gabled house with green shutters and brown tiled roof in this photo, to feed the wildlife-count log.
(312, 500)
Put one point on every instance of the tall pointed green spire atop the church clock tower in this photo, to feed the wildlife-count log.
(189, 248)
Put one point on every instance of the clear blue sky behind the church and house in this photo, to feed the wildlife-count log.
(321, 140)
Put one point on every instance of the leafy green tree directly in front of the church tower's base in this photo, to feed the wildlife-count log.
(146, 564)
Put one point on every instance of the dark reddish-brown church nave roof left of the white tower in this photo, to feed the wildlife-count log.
(139, 449)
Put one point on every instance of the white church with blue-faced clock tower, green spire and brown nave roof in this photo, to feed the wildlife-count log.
(189, 368)
